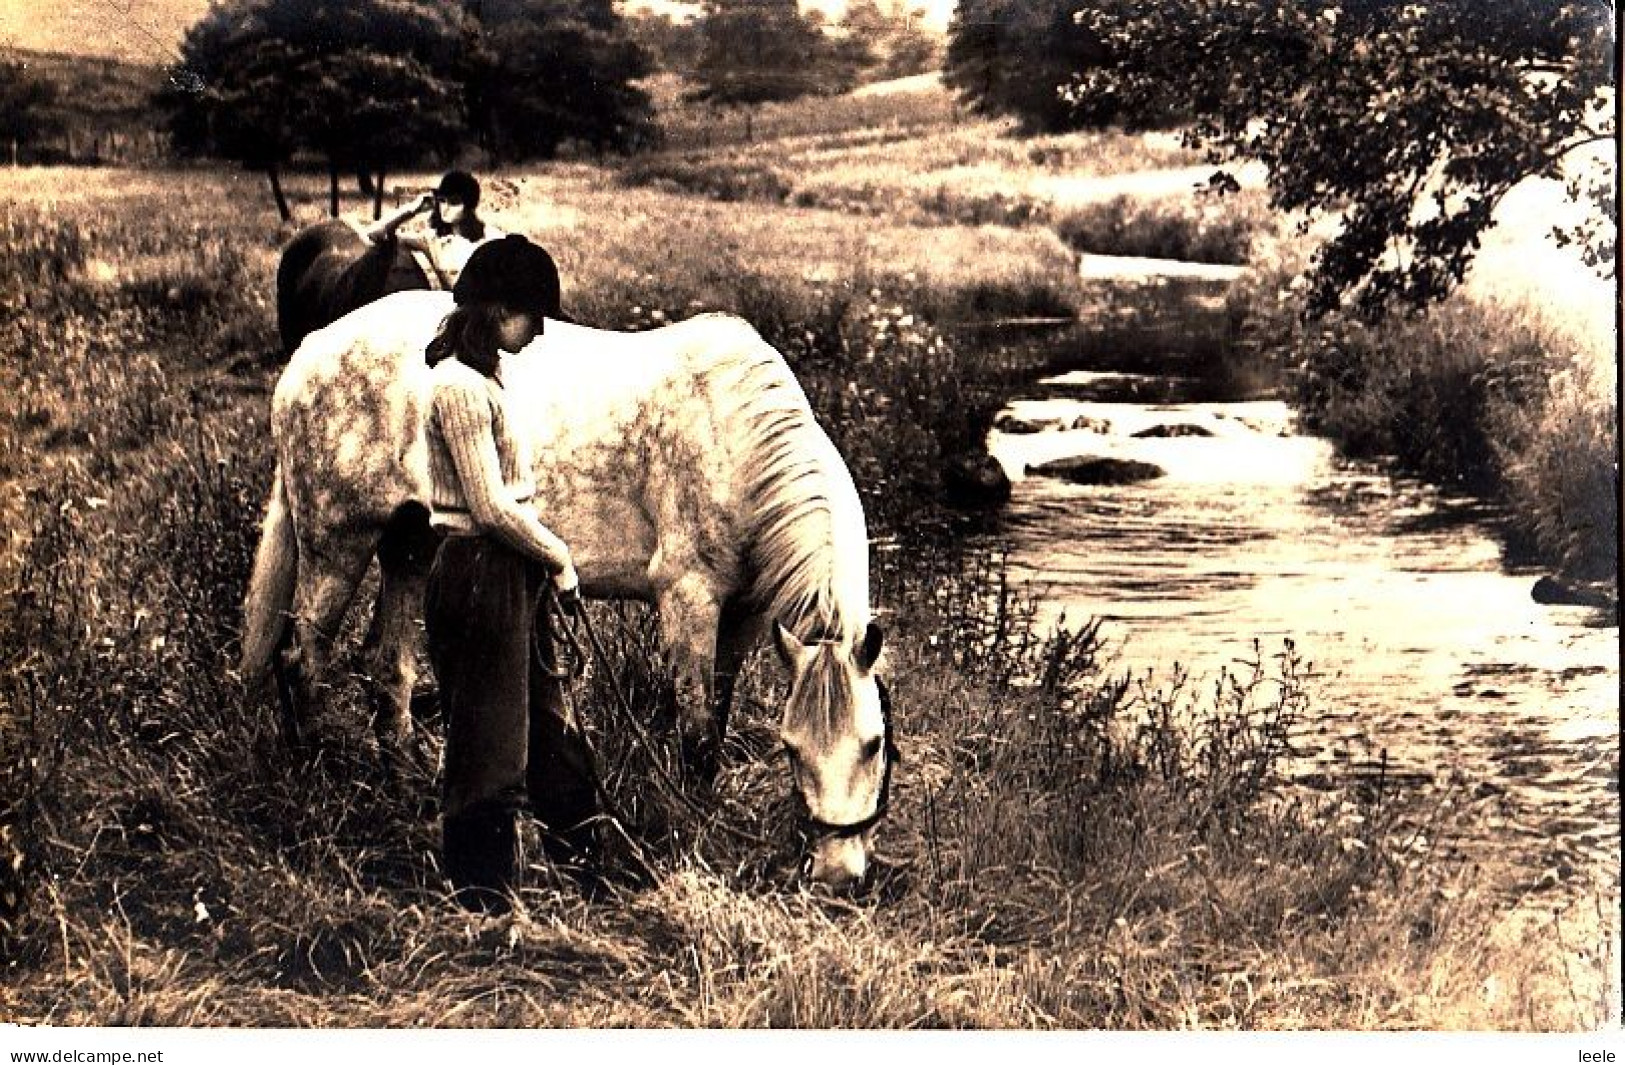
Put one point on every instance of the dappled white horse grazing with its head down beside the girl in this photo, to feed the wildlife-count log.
(683, 467)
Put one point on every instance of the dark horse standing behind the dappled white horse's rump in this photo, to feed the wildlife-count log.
(329, 271)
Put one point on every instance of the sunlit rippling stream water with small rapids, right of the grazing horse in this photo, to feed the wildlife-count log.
(1423, 648)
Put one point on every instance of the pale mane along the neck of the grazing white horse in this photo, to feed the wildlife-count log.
(807, 544)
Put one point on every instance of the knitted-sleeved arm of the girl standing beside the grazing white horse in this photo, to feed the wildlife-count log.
(467, 427)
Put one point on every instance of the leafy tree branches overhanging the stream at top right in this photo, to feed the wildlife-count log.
(1410, 121)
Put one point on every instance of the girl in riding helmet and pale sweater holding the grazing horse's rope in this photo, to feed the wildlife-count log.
(509, 736)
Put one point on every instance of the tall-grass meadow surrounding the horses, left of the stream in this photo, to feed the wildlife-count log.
(1065, 850)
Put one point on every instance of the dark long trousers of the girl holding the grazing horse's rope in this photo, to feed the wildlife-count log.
(509, 739)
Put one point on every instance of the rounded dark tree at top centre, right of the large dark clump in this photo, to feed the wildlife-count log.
(756, 53)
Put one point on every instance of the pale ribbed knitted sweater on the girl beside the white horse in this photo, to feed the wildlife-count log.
(480, 467)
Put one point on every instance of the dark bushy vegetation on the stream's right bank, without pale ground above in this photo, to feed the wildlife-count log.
(1480, 399)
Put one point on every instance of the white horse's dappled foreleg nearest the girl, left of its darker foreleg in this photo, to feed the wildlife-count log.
(690, 611)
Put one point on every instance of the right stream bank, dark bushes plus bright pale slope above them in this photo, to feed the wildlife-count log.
(1507, 391)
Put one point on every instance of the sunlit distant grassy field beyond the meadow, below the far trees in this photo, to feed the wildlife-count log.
(906, 152)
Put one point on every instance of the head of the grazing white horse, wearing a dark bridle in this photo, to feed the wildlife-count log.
(838, 736)
